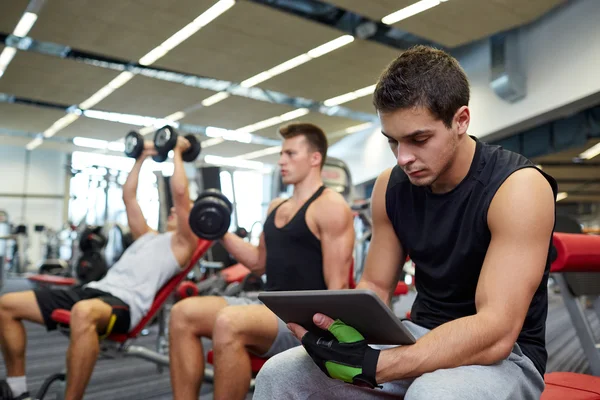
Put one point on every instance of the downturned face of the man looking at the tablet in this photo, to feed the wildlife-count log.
(423, 146)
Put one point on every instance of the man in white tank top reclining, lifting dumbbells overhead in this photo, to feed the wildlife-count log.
(112, 305)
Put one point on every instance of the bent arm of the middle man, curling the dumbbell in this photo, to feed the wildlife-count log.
(253, 257)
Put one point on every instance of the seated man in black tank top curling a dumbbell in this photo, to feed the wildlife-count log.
(307, 243)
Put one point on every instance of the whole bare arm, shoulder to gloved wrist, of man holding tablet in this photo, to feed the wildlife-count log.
(520, 219)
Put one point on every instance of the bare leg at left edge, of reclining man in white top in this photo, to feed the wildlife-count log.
(15, 307)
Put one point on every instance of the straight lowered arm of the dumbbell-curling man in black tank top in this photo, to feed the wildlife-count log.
(334, 219)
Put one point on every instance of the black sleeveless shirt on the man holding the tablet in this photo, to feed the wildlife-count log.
(447, 237)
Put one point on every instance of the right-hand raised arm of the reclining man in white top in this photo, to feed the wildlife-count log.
(184, 239)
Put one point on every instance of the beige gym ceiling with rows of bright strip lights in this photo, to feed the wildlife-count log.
(85, 60)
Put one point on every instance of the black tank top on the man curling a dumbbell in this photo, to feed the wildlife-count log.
(294, 257)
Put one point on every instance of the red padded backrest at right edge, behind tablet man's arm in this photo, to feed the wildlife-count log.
(576, 253)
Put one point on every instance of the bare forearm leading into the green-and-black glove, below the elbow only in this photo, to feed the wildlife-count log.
(473, 340)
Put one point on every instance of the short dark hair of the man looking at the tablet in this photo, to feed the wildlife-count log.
(426, 77)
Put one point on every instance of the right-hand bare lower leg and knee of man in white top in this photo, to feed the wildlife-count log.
(88, 317)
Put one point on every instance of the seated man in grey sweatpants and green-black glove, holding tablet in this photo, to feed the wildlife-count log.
(477, 220)
